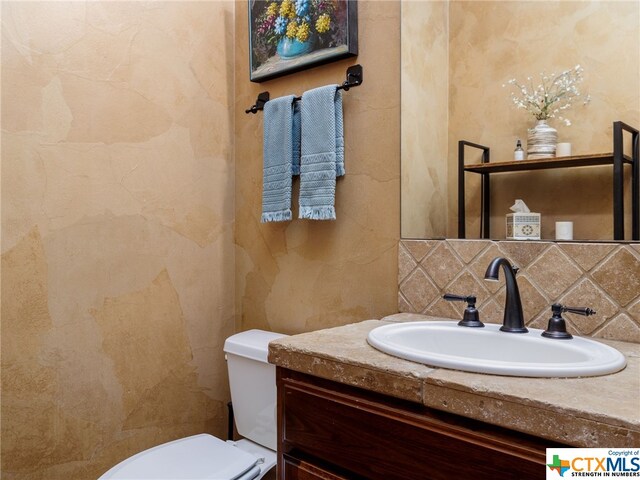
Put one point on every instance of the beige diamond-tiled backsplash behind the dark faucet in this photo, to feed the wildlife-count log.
(603, 276)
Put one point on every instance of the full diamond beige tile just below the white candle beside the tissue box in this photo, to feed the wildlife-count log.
(553, 272)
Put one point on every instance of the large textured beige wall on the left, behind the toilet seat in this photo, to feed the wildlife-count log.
(117, 229)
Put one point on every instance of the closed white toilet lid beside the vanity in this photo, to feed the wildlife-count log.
(197, 457)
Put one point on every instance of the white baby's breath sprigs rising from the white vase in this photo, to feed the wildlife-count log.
(552, 96)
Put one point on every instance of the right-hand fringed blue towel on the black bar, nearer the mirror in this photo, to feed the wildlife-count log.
(322, 147)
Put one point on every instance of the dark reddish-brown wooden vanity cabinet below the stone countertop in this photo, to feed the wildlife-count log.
(331, 431)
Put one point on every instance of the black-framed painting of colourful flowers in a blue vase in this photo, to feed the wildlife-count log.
(287, 36)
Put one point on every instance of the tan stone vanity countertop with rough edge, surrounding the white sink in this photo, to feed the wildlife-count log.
(589, 412)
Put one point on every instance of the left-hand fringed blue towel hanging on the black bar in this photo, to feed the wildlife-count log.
(281, 157)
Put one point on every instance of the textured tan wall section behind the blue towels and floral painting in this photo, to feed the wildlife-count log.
(303, 275)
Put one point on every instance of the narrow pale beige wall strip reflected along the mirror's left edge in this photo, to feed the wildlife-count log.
(425, 124)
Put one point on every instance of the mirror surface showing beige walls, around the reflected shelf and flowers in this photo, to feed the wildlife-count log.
(456, 57)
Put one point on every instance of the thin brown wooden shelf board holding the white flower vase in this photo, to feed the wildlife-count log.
(544, 163)
